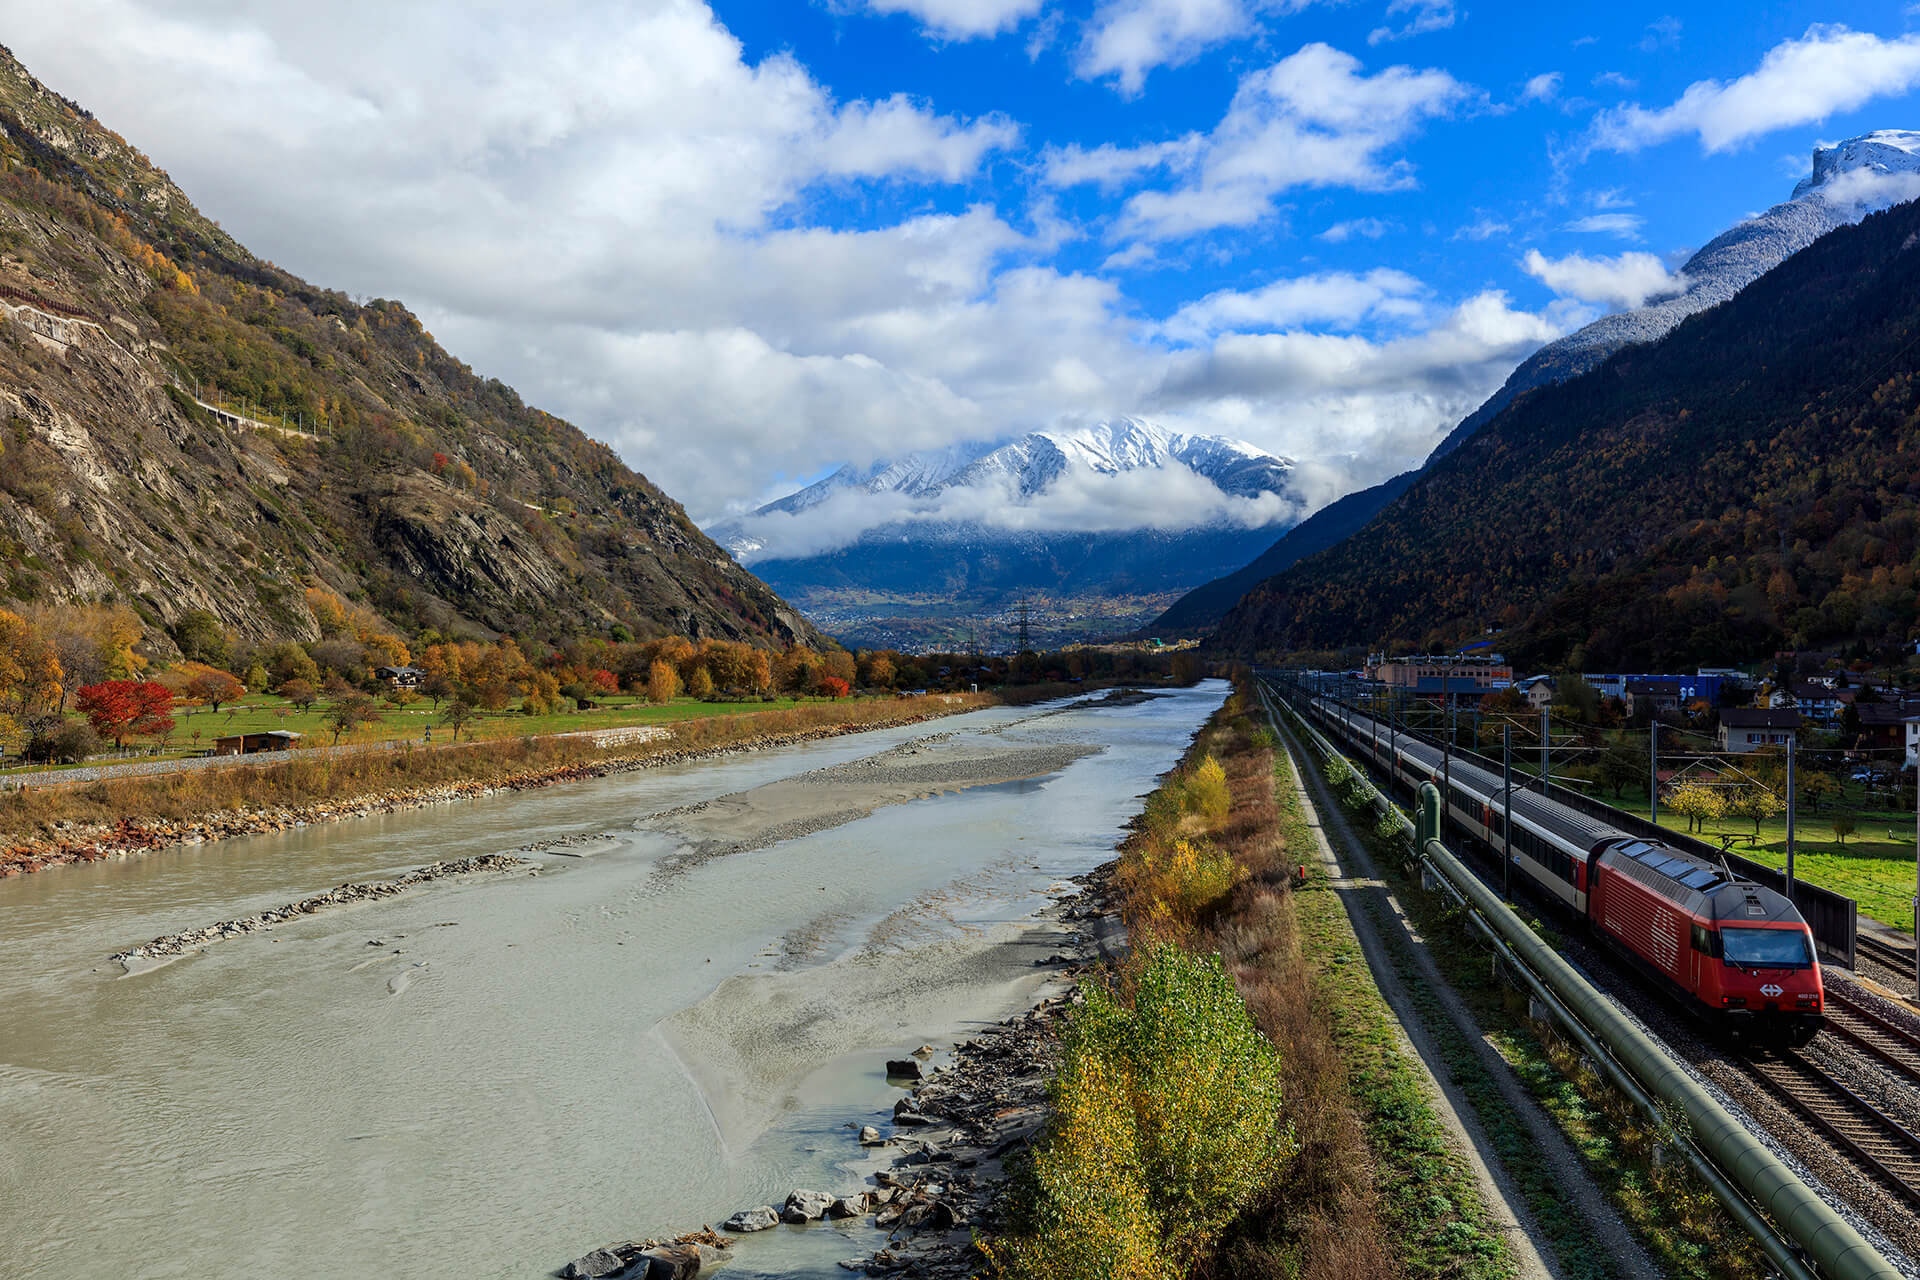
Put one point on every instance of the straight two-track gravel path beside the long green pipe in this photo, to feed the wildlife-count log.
(1378, 916)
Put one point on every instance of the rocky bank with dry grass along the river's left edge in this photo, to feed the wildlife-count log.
(133, 836)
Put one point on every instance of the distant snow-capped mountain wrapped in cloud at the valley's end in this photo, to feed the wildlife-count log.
(1116, 510)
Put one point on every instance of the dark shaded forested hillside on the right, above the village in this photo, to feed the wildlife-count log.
(1746, 485)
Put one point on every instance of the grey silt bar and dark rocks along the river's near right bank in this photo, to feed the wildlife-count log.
(955, 1126)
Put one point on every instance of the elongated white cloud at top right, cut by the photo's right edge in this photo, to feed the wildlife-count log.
(1800, 82)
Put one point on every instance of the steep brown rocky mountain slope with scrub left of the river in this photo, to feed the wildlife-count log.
(343, 450)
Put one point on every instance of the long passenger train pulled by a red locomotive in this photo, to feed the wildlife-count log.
(1729, 949)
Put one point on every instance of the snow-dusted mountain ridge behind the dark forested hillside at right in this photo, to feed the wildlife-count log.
(1846, 183)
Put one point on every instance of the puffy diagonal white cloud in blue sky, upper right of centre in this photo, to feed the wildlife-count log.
(1310, 120)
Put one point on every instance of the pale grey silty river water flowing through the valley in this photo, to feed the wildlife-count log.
(494, 1076)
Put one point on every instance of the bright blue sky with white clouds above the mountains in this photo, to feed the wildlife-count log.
(752, 241)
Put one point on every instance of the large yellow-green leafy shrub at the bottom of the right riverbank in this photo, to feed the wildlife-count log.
(1166, 1126)
